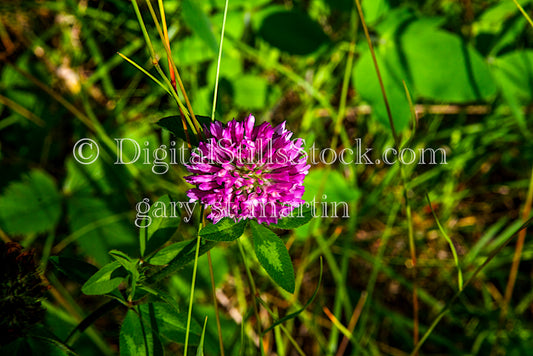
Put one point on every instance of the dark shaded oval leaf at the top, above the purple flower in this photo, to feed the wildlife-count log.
(293, 32)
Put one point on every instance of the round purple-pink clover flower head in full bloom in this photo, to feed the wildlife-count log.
(244, 171)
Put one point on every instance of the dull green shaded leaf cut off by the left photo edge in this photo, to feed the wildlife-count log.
(32, 205)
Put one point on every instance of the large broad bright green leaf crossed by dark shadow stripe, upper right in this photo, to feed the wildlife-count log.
(435, 65)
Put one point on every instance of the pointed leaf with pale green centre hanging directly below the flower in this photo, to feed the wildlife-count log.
(273, 256)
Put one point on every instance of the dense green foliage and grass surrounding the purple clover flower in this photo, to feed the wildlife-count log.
(374, 274)
